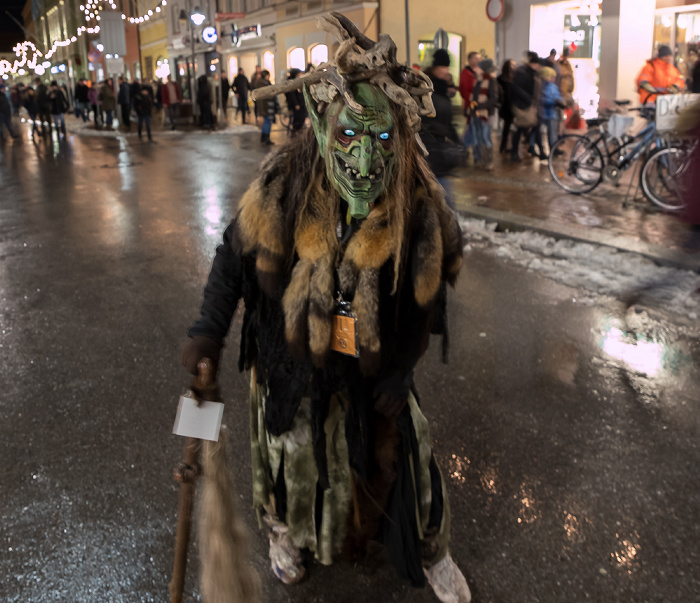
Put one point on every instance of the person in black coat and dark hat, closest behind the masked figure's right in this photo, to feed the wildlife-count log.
(438, 133)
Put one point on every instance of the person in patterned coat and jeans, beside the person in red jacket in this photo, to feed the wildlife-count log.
(484, 104)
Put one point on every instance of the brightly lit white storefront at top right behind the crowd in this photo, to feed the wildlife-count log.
(610, 40)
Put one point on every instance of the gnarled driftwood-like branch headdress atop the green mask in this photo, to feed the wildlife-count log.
(360, 59)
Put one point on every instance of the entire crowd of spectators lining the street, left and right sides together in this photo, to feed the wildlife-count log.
(528, 104)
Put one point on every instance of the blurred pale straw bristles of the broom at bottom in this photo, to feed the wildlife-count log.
(226, 574)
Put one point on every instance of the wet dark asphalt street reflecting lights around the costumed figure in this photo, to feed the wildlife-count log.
(567, 431)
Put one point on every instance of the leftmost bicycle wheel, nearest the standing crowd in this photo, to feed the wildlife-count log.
(576, 164)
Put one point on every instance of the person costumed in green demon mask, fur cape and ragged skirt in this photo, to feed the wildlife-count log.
(341, 249)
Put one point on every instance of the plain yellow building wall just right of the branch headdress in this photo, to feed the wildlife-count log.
(466, 18)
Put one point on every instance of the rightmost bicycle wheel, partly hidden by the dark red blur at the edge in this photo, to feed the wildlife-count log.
(662, 178)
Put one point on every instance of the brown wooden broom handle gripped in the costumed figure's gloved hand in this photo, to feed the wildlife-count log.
(186, 473)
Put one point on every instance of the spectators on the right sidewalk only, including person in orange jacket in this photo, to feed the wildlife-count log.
(531, 104)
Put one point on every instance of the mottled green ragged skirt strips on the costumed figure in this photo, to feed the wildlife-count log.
(292, 453)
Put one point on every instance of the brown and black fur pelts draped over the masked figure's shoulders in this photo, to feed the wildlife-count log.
(410, 221)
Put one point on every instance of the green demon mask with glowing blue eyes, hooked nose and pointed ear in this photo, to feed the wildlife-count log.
(358, 147)
